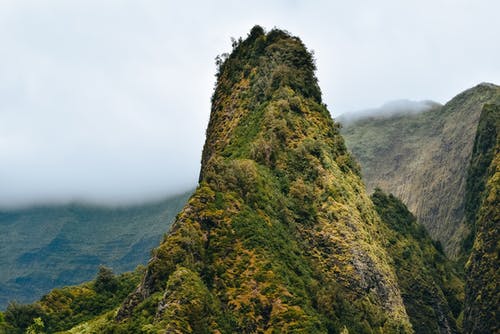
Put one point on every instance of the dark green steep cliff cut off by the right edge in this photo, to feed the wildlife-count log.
(482, 311)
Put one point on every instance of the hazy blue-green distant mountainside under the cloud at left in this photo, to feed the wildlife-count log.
(51, 246)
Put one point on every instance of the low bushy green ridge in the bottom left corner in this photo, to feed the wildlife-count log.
(61, 309)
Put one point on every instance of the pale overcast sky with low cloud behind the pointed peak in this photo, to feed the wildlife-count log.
(108, 101)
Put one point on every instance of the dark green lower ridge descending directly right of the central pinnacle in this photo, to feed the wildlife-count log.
(432, 287)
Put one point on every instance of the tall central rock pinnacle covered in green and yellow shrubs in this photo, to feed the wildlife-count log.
(280, 233)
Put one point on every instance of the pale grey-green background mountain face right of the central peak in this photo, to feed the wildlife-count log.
(423, 159)
